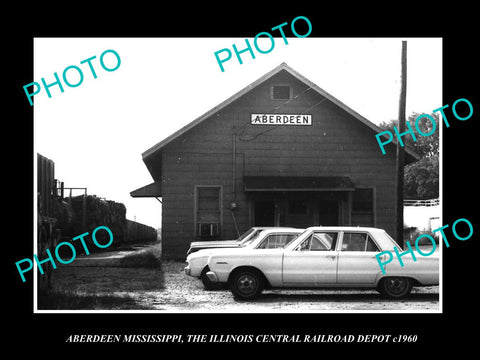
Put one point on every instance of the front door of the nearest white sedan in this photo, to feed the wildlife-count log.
(313, 262)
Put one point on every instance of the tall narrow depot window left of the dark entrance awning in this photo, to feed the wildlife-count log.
(208, 211)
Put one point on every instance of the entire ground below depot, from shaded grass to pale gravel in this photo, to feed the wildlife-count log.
(167, 289)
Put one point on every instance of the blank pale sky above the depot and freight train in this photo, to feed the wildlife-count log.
(96, 132)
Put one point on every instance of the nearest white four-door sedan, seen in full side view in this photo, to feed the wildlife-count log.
(323, 257)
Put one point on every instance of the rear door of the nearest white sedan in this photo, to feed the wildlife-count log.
(357, 263)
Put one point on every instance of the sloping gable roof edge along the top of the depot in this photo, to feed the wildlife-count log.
(282, 66)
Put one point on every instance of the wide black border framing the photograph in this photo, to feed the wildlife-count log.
(47, 332)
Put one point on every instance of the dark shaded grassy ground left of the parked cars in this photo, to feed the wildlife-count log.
(87, 285)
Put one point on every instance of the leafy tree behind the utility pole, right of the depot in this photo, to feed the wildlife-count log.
(421, 178)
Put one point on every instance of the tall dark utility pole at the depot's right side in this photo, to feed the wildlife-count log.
(400, 158)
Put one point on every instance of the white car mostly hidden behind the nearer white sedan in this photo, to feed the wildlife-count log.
(271, 238)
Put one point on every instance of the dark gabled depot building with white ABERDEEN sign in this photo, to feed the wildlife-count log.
(280, 152)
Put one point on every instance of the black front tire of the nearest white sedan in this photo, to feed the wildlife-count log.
(246, 284)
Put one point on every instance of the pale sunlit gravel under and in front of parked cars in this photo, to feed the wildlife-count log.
(184, 293)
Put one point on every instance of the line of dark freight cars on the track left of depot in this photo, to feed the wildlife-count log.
(62, 217)
